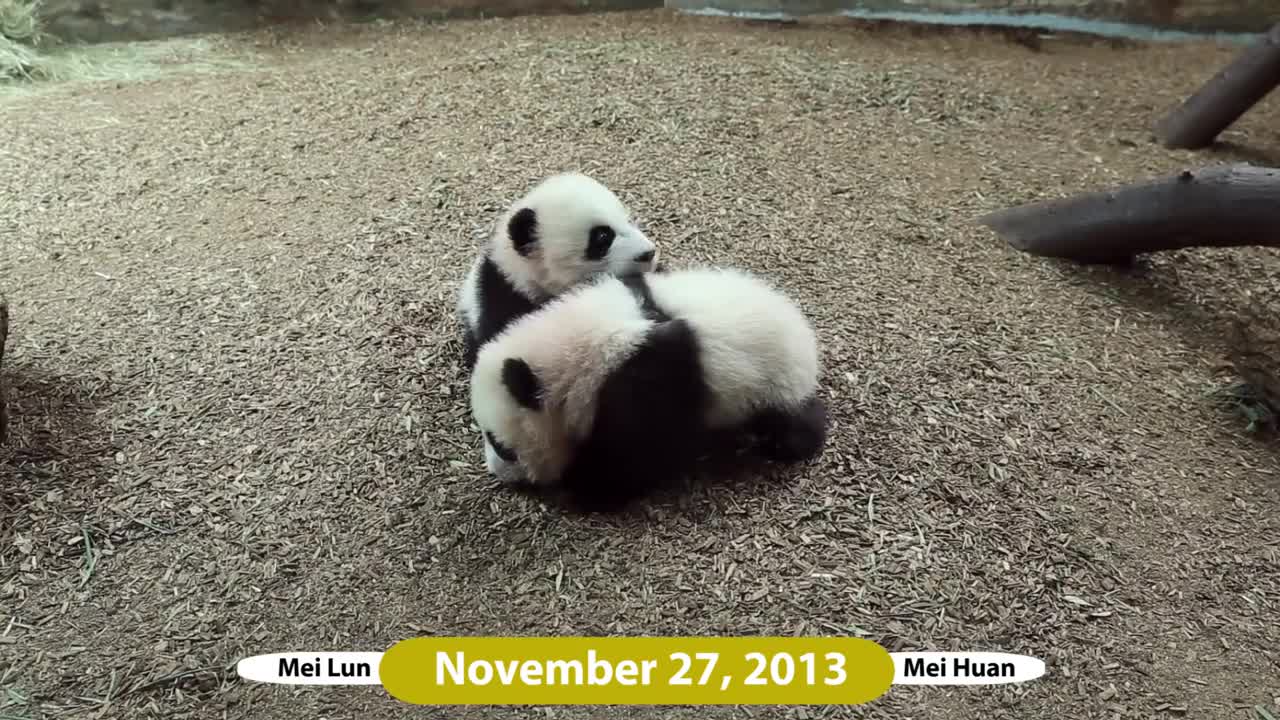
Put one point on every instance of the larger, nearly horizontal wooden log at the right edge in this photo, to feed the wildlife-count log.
(1215, 207)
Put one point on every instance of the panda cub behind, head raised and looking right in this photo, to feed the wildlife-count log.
(566, 230)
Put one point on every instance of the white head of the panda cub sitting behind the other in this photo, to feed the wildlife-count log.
(568, 230)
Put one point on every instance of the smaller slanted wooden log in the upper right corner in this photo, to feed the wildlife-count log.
(1228, 95)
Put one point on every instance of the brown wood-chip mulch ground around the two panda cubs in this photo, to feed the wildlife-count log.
(240, 425)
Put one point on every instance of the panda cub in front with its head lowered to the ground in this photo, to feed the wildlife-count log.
(616, 386)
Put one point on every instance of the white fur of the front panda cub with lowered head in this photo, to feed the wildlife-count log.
(758, 350)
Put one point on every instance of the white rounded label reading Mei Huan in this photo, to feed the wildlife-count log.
(964, 668)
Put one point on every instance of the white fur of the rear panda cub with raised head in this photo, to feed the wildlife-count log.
(568, 207)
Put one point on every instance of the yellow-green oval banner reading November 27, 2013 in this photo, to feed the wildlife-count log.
(587, 671)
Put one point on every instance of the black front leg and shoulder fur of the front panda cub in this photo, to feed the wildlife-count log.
(648, 423)
